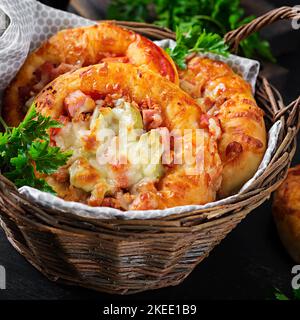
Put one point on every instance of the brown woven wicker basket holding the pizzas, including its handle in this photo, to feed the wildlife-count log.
(128, 256)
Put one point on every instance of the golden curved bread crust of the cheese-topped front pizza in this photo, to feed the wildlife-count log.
(178, 186)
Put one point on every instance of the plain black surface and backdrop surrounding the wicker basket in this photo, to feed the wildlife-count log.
(248, 264)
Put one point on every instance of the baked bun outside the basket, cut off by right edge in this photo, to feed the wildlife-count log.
(286, 212)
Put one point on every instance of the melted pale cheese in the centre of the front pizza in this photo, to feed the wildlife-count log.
(111, 151)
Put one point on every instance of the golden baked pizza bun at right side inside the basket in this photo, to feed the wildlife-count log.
(224, 94)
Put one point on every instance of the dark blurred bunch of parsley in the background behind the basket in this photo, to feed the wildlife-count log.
(214, 16)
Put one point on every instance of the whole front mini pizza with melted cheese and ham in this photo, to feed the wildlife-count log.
(100, 105)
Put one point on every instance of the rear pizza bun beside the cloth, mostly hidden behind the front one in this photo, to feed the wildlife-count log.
(74, 48)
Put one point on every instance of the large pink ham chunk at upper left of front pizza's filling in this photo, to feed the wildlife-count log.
(77, 102)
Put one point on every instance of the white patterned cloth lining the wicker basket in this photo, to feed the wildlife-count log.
(31, 23)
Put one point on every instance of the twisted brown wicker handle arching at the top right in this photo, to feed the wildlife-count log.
(234, 37)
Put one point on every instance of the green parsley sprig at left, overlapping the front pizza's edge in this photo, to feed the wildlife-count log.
(26, 149)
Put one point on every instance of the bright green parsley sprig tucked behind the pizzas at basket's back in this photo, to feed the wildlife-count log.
(189, 39)
